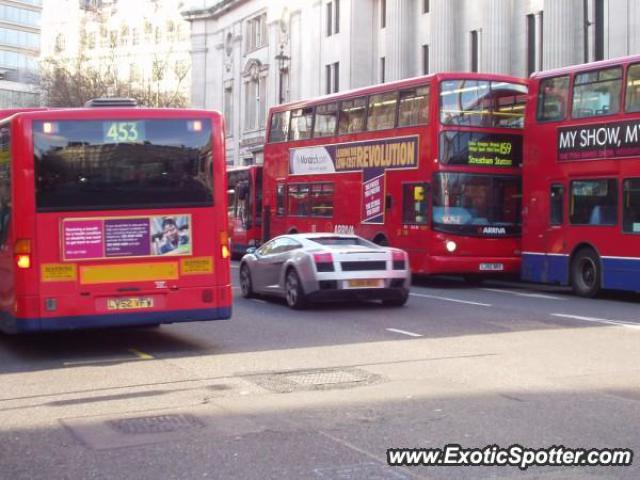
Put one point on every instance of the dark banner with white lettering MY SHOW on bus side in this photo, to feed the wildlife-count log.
(590, 142)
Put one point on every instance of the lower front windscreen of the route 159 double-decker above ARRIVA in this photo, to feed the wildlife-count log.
(477, 205)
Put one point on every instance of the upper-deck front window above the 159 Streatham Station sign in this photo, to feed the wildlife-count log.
(481, 103)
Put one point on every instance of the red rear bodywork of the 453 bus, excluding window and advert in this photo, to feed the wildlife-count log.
(192, 287)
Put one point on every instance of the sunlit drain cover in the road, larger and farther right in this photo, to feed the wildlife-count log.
(314, 379)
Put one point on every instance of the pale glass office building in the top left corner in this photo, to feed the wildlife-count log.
(19, 53)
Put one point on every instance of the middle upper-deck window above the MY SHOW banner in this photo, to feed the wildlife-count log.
(597, 93)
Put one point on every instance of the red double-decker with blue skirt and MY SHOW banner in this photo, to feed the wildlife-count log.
(582, 177)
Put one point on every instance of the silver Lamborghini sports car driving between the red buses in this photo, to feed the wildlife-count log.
(326, 267)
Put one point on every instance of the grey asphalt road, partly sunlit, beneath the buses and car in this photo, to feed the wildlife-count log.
(323, 393)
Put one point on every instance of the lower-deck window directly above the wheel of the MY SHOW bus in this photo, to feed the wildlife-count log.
(594, 202)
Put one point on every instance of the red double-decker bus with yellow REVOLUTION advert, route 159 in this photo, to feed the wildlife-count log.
(430, 165)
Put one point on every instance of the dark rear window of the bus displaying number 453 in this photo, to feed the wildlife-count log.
(122, 164)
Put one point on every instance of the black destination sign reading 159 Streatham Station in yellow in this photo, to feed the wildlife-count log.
(480, 149)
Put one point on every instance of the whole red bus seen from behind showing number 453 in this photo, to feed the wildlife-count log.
(112, 217)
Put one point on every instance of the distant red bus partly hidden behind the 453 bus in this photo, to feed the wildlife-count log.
(245, 207)
